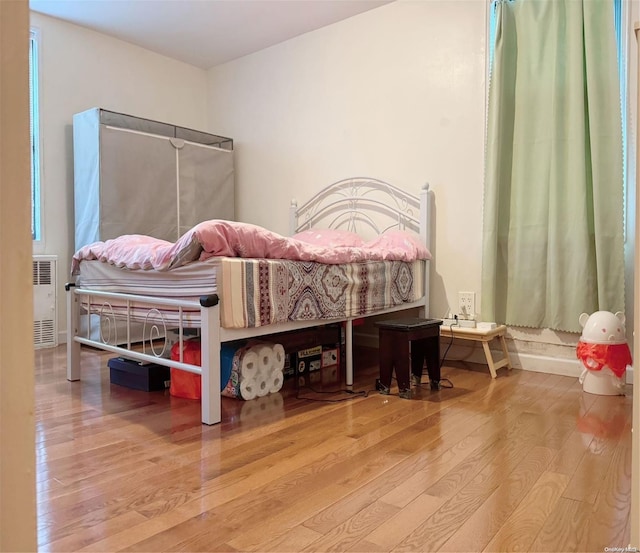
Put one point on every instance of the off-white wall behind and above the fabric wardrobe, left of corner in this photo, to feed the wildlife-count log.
(81, 69)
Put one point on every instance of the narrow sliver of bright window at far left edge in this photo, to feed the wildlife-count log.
(34, 112)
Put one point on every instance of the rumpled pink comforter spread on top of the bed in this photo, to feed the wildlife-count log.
(232, 239)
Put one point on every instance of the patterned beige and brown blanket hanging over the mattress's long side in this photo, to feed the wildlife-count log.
(258, 292)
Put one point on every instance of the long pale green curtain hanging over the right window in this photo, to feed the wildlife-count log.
(553, 204)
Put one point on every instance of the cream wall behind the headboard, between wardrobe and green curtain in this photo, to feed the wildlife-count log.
(396, 93)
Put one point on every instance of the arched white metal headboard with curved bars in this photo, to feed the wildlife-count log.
(365, 206)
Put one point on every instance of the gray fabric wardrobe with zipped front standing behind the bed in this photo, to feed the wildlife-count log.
(135, 176)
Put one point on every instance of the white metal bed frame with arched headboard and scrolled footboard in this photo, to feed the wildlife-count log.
(361, 205)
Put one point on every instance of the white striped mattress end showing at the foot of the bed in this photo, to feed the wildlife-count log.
(189, 281)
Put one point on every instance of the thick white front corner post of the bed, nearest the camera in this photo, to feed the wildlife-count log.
(210, 354)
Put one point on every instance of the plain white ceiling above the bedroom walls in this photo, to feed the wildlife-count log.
(204, 33)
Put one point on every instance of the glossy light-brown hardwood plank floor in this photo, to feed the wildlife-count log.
(525, 462)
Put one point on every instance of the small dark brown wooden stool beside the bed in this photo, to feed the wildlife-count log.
(408, 343)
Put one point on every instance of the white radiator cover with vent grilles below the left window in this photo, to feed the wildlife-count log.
(45, 317)
